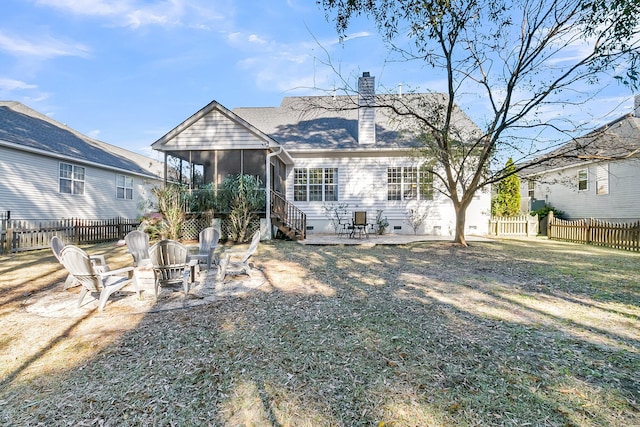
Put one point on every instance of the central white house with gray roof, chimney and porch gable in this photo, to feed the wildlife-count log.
(319, 152)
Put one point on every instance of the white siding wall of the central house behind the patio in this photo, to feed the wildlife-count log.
(363, 186)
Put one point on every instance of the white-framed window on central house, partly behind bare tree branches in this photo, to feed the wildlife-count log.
(409, 183)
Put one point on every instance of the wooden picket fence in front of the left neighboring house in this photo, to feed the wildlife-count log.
(19, 235)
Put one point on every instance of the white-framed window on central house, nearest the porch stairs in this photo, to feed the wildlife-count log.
(315, 184)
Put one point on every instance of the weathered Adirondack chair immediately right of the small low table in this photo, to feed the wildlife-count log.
(169, 260)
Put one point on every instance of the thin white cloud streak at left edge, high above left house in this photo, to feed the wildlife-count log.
(43, 46)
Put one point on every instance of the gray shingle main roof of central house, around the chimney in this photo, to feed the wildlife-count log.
(331, 123)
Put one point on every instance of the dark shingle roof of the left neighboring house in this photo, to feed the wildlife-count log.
(27, 128)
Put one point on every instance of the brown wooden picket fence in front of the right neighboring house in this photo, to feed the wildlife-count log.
(597, 232)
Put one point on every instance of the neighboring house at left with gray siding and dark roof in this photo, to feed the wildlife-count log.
(50, 171)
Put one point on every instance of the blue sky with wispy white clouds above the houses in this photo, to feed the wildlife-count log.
(128, 71)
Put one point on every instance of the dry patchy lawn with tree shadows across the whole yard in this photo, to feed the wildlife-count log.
(511, 332)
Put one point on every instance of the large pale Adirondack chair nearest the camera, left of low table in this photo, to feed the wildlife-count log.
(93, 279)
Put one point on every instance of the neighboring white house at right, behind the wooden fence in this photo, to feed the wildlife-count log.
(599, 179)
